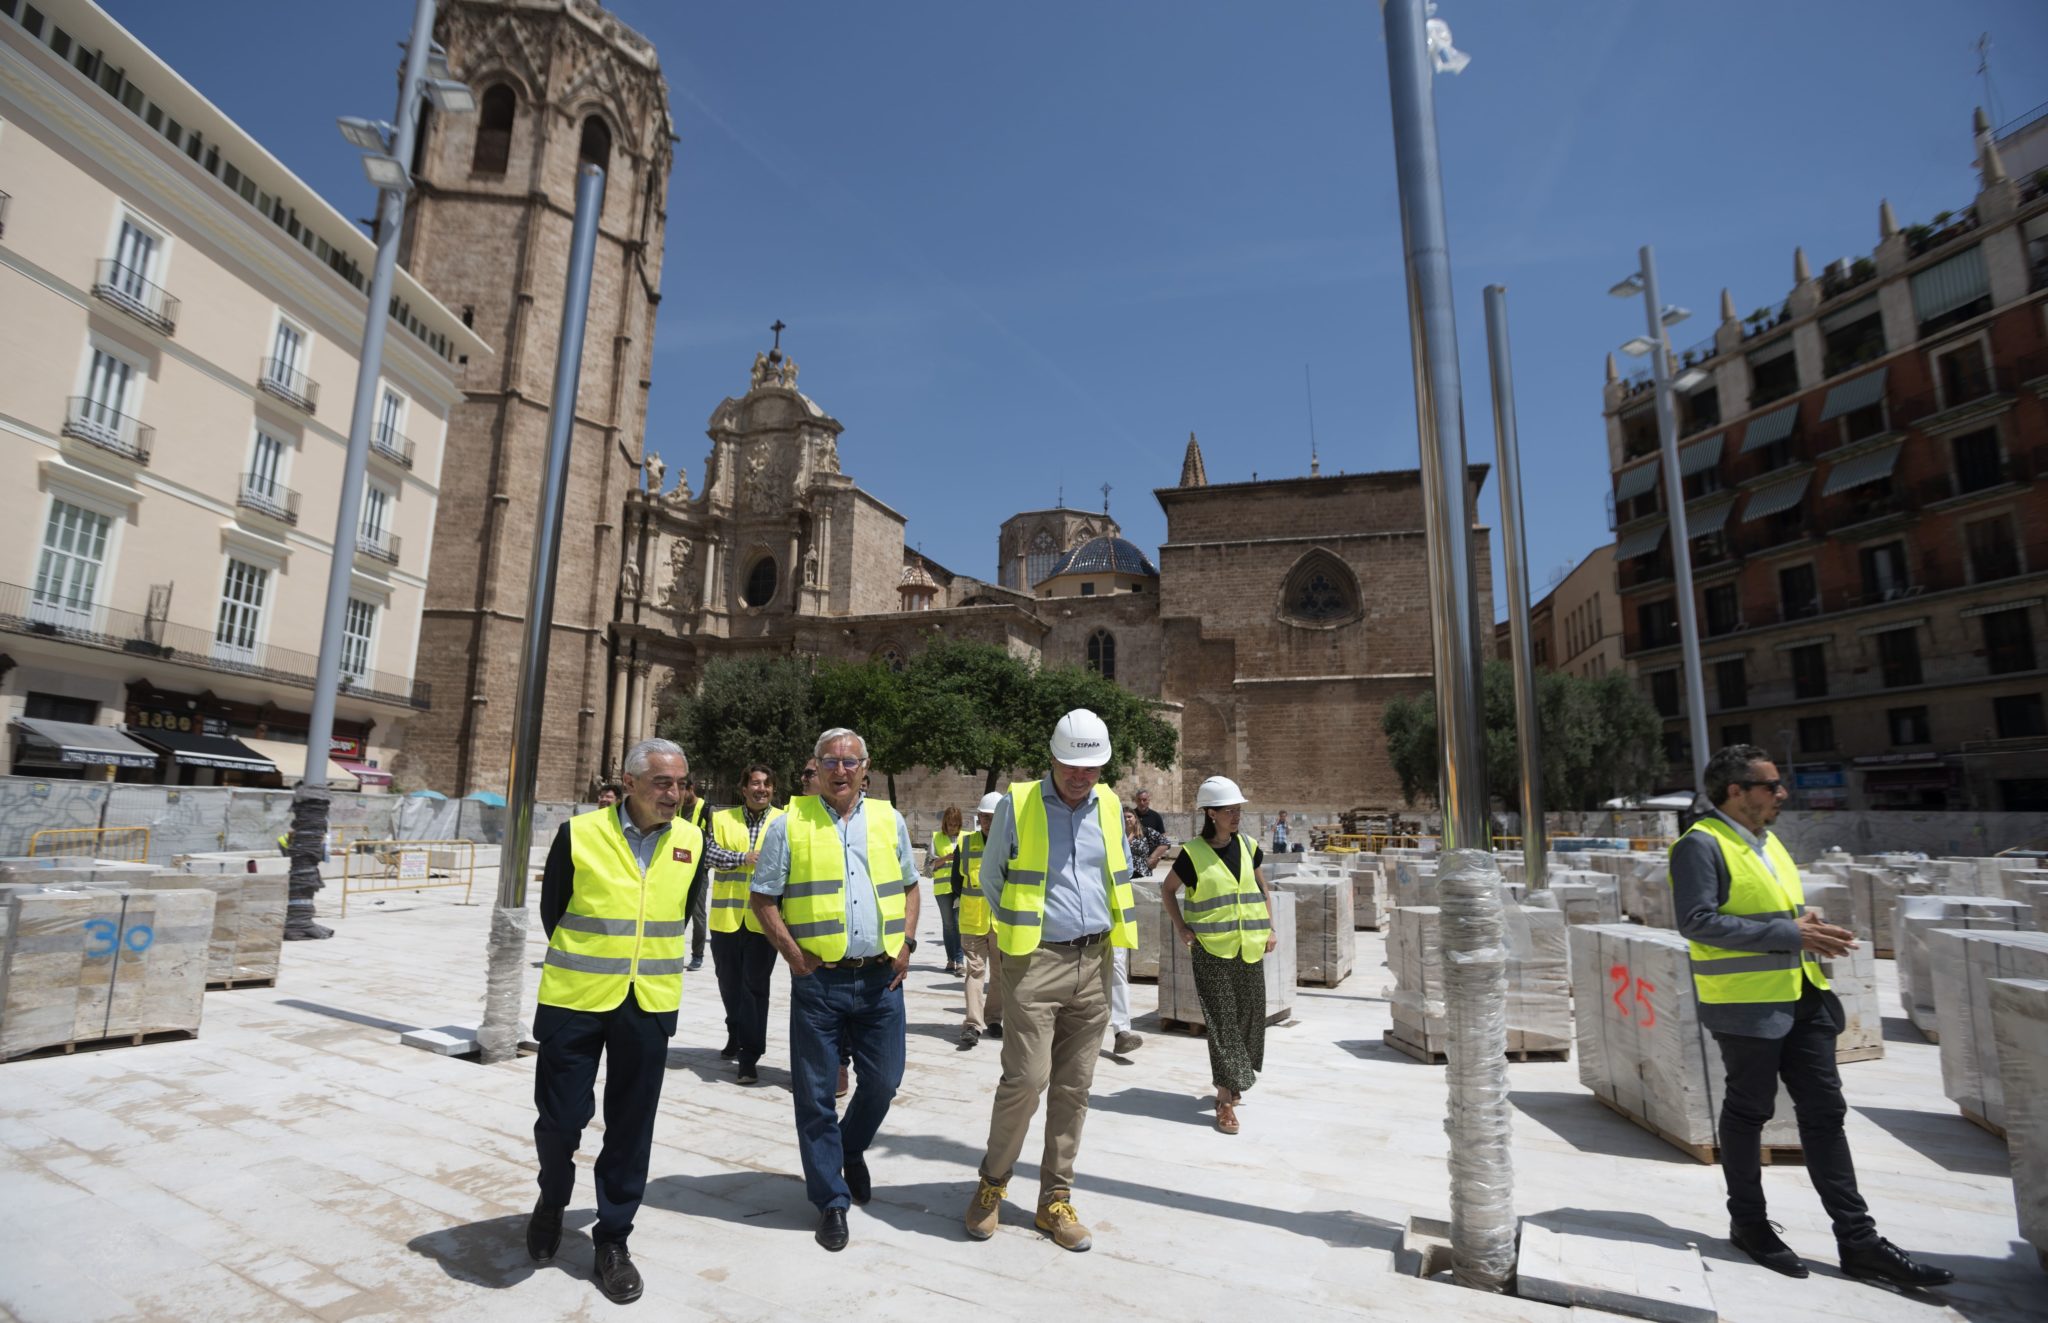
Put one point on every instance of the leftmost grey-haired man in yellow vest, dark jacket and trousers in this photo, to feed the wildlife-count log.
(613, 902)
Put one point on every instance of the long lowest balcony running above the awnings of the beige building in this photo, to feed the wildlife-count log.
(124, 632)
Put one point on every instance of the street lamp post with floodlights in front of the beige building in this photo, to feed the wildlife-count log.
(310, 800)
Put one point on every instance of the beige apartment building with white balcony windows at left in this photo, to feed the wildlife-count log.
(177, 368)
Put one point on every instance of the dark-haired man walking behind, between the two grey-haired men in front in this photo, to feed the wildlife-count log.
(740, 951)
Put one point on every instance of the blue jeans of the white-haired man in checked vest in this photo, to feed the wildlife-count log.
(839, 1013)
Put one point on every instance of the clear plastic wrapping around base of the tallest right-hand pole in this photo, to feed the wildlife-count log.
(1476, 1015)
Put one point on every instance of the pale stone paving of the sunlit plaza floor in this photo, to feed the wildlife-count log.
(298, 1162)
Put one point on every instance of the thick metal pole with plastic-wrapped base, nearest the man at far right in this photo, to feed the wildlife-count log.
(1471, 923)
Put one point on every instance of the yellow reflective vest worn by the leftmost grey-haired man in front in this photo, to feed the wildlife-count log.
(622, 929)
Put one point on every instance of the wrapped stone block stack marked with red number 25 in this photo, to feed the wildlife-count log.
(1641, 1045)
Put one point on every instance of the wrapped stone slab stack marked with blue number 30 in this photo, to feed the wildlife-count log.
(81, 966)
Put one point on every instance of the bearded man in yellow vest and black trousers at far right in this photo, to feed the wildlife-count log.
(1756, 964)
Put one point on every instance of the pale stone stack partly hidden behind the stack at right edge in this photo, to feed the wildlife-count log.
(1963, 966)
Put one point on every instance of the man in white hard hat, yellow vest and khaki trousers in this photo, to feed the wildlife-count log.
(1060, 894)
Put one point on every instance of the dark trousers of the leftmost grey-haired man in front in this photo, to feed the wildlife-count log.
(634, 1045)
